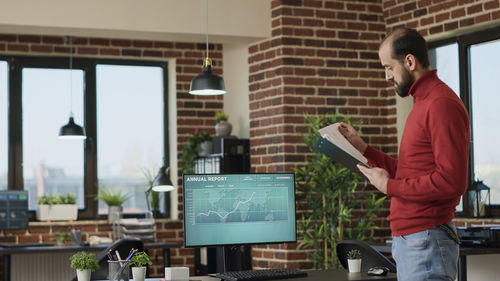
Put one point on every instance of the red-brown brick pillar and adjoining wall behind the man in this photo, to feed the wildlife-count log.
(322, 58)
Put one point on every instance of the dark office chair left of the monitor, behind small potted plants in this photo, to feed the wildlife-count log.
(123, 246)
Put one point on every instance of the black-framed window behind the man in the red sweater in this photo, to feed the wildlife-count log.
(470, 63)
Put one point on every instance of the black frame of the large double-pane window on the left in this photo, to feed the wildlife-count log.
(88, 66)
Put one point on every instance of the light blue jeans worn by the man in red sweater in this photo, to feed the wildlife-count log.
(427, 255)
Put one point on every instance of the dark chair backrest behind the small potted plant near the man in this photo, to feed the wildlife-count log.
(370, 257)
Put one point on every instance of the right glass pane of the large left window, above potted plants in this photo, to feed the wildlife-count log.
(129, 129)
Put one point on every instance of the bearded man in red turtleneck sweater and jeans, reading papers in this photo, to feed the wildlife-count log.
(426, 182)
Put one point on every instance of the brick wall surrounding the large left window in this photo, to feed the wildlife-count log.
(194, 114)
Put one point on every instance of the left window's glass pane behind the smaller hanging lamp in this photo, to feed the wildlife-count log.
(51, 165)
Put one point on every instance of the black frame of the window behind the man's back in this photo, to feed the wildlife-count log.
(465, 41)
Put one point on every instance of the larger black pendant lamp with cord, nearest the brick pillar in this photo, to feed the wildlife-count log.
(207, 83)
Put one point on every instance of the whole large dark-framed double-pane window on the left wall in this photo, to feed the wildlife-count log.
(123, 107)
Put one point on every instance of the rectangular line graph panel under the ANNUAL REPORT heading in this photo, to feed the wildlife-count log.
(230, 205)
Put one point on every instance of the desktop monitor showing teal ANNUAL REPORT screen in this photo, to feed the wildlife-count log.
(237, 209)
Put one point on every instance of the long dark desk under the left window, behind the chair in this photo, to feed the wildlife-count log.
(5, 252)
